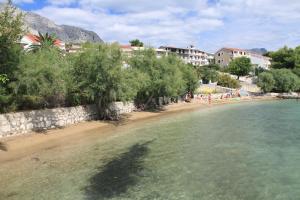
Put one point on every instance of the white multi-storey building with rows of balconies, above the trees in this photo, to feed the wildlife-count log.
(189, 55)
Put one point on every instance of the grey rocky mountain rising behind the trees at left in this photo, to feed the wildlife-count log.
(70, 34)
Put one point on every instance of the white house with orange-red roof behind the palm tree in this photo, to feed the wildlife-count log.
(30, 39)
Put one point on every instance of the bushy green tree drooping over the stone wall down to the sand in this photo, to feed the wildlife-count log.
(99, 75)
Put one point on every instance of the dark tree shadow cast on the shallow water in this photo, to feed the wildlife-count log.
(119, 174)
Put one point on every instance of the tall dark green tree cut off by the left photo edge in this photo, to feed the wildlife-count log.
(11, 23)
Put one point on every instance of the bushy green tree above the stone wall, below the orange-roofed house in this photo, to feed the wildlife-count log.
(41, 80)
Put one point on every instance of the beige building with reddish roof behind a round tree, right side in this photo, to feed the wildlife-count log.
(225, 55)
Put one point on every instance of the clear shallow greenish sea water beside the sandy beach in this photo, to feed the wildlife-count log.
(234, 152)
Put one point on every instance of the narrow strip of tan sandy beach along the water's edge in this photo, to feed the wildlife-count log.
(21, 146)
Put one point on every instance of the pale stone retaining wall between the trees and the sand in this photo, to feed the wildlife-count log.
(39, 120)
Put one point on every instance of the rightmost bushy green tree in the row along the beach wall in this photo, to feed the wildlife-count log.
(166, 77)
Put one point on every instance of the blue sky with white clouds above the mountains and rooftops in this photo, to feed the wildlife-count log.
(207, 24)
